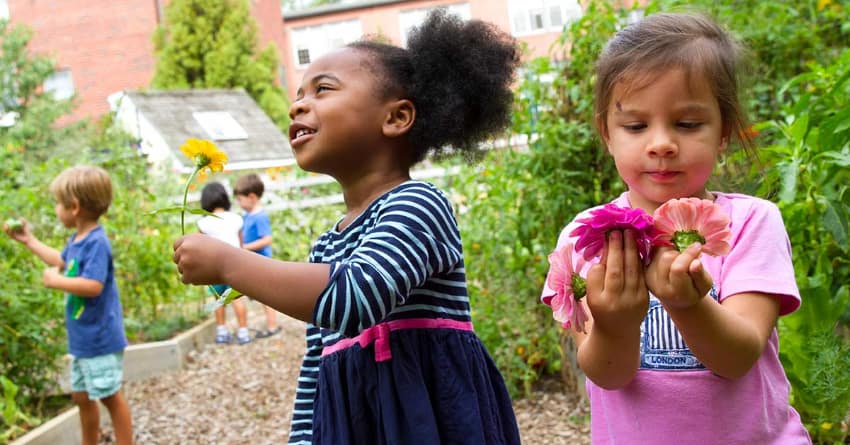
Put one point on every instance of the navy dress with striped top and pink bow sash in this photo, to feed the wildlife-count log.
(398, 265)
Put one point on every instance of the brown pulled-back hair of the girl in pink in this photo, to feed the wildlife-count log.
(691, 42)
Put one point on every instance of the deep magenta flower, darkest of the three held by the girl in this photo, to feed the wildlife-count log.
(592, 230)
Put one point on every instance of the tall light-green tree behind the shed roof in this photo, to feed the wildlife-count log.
(214, 44)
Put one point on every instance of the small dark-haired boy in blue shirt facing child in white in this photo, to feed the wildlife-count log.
(256, 233)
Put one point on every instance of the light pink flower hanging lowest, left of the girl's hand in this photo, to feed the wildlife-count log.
(569, 288)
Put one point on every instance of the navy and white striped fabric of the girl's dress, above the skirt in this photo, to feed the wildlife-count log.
(401, 258)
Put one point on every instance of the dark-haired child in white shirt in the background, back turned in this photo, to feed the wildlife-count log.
(225, 226)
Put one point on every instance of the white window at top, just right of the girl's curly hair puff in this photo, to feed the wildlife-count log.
(539, 16)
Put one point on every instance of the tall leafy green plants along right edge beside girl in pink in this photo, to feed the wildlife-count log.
(808, 173)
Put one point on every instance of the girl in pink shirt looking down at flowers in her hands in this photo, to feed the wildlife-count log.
(685, 350)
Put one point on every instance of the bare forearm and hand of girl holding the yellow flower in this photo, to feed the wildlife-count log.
(204, 260)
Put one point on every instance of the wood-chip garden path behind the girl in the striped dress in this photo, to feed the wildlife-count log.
(231, 394)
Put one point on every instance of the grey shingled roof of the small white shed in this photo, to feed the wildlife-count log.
(172, 114)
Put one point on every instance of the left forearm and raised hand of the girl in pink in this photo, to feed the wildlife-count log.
(618, 300)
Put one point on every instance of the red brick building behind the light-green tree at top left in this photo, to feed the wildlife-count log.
(105, 46)
